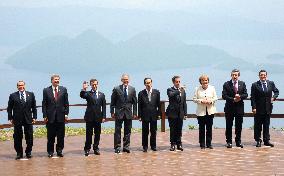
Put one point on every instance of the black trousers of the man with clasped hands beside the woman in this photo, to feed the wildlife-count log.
(238, 127)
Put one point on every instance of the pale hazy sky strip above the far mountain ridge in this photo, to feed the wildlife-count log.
(261, 10)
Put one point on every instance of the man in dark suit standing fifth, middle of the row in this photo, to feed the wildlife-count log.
(149, 112)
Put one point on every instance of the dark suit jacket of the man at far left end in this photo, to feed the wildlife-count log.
(19, 111)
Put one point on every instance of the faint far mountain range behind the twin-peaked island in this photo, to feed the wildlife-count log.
(22, 26)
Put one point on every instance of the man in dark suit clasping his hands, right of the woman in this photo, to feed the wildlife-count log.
(234, 92)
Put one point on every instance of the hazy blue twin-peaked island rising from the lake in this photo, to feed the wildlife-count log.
(90, 52)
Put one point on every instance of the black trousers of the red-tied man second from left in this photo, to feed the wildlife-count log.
(55, 129)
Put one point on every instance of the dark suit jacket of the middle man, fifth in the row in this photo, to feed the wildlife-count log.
(149, 110)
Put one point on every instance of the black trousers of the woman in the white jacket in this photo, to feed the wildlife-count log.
(205, 122)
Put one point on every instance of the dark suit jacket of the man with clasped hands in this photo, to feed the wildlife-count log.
(228, 94)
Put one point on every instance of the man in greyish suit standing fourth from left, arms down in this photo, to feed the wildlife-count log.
(123, 109)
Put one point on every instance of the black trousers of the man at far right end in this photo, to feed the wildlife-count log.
(261, 120)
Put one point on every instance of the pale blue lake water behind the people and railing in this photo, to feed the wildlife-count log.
(36, 81)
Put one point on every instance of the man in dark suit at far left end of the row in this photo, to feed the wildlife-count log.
(22, 112)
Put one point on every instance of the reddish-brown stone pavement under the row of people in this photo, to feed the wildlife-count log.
(192, 161)
